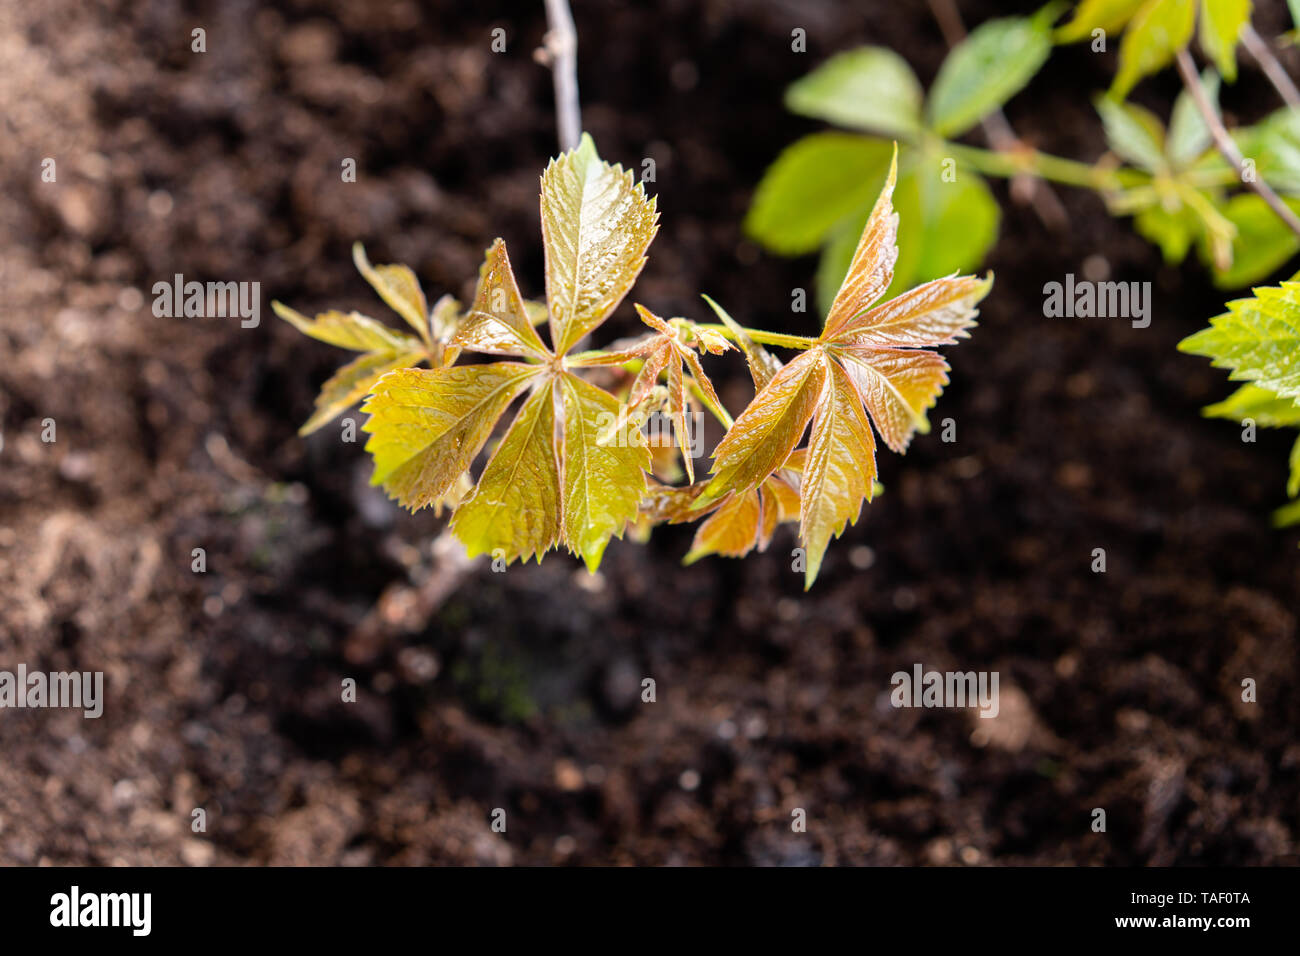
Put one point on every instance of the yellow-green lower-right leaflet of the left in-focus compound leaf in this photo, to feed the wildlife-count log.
(603, 478)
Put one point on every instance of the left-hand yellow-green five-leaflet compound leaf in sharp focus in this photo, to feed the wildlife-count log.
(569, 468)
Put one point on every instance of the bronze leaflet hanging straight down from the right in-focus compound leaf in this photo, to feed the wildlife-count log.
(840, 469)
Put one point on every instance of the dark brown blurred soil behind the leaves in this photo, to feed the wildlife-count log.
(522, 690)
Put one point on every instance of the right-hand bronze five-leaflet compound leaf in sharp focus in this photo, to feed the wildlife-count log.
(864, 362)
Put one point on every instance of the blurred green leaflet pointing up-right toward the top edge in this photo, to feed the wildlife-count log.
(986, 70)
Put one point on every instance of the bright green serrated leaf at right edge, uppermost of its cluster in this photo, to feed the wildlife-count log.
(1258, 339)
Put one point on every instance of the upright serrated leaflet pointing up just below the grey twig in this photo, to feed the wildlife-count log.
(596, 228)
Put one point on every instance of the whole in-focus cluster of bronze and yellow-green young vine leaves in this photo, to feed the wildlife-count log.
(575, 466)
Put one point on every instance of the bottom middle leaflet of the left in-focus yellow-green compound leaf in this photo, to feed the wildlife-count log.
(515, 508)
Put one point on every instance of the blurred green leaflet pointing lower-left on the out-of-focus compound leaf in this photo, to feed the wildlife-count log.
(812, 187)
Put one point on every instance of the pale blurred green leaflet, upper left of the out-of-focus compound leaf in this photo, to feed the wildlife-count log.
(868, 89)
